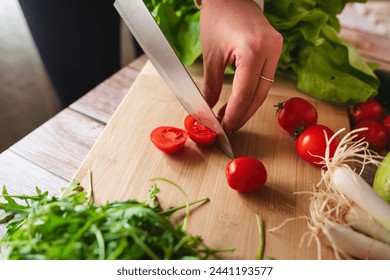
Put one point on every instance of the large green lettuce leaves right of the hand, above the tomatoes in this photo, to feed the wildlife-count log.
(324, 65)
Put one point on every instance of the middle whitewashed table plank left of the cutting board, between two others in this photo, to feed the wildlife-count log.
(60, 144)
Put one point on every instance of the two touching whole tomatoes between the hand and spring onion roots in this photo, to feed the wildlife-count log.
(299, 118)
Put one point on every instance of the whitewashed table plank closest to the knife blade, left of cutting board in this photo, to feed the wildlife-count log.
(101, 102)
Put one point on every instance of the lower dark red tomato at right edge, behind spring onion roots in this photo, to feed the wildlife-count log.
(375, 135)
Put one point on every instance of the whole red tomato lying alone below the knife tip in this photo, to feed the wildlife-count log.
(246, 174)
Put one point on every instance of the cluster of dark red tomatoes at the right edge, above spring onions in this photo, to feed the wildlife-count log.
(370, 114)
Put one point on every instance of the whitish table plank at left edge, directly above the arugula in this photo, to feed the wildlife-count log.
(20, 176)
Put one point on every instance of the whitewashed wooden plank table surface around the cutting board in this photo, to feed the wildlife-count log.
(50, 155)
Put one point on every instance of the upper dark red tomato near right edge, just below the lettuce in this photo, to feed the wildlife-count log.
(369, 110)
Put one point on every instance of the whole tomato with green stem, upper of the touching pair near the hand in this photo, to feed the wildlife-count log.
(296, 114)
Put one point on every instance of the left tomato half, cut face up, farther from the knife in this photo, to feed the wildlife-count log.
(168, 139)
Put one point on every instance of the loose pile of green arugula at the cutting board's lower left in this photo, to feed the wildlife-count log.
(72, 227)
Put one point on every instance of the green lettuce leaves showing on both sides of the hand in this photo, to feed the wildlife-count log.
(323, 64)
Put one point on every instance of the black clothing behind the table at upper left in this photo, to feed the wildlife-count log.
(78, 41)
